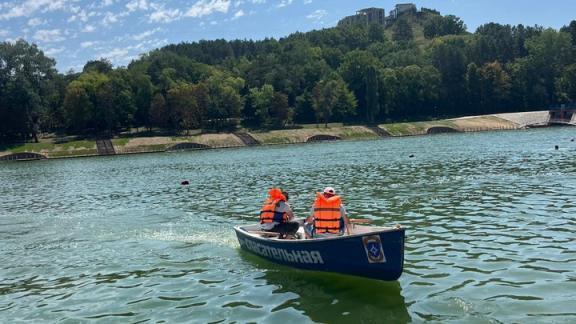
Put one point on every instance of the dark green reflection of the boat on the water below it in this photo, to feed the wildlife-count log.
(334, 298)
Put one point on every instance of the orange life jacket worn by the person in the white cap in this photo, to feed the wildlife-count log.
(327, 214)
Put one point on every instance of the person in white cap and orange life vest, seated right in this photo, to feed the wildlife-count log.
(328, 216)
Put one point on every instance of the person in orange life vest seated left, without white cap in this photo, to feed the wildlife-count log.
(276, 214)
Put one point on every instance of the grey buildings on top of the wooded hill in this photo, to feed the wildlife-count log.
(377, 15)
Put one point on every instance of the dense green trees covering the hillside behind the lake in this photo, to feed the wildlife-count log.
(423, 66)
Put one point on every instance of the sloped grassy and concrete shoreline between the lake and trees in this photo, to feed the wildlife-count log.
(306, 134)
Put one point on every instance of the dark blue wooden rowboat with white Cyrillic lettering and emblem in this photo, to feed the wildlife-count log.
(367, 251)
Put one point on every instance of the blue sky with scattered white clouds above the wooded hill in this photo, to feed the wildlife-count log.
(76, 31)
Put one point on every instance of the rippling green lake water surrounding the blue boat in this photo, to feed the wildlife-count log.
(490, 218)
